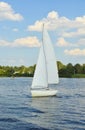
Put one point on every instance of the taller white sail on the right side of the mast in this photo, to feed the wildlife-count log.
(50, 59)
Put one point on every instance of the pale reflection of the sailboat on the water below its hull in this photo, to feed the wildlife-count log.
(48, 108)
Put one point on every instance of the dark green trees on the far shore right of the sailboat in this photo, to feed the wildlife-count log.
(71, 71)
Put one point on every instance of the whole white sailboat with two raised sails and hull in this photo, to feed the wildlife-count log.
(46, 71)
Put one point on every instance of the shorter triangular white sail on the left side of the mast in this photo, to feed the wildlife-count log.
(40, 75)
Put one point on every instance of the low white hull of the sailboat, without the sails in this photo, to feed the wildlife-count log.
(43, 93)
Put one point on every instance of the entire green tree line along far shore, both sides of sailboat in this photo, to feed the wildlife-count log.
(69, 70)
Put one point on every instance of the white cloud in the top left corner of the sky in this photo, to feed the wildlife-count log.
(7, 13)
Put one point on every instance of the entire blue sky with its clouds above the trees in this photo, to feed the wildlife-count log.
(20, 30)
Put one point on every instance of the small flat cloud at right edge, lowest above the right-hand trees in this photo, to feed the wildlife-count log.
(75, 52)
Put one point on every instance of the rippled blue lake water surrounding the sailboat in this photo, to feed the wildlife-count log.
(18, 111)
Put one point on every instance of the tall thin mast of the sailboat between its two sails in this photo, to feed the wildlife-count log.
(44, 53)
